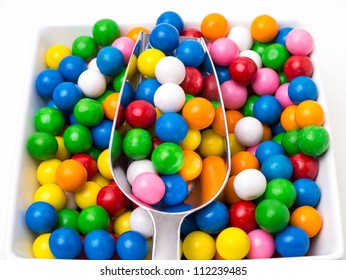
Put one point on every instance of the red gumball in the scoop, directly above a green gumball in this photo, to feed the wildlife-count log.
(140, 114)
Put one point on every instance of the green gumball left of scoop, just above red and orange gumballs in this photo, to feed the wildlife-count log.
(77, 138)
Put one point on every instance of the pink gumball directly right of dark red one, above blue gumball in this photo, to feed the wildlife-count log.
(266, 81)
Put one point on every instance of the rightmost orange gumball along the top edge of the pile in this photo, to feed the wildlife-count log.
(264, 28)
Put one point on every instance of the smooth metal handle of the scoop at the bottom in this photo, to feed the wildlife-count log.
(166, 241)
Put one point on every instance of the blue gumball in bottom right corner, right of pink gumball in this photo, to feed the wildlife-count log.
(292, 242)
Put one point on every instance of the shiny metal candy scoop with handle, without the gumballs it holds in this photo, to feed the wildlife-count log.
(203, 190)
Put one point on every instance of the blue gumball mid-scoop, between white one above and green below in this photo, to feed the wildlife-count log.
(171, 127)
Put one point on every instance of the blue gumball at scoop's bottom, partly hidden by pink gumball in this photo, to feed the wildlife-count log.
(176, 189)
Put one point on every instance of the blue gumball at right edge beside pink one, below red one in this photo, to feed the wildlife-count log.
(302, 88)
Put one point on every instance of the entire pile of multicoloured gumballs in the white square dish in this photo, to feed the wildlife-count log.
(275, 130)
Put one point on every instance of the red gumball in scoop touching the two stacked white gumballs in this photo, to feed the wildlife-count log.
(193, 81)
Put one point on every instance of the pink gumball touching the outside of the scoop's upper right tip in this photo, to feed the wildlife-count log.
(223, 51)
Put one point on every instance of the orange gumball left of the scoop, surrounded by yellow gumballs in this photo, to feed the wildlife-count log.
(71, 175)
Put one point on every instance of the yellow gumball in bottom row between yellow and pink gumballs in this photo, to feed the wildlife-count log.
(232, 244)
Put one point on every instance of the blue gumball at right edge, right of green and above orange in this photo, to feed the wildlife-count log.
(308, 192)
